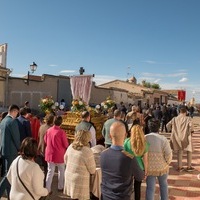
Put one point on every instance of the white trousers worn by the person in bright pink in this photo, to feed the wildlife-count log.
(50, 174)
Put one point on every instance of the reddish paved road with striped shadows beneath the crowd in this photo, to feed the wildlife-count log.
(182, 186)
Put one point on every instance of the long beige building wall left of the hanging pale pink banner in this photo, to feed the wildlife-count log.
(19, 92)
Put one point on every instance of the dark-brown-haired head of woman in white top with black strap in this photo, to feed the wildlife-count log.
(28, 149)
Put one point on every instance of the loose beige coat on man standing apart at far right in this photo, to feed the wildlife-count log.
(181, 136)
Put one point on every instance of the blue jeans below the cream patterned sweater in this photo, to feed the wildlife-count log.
(151, 182)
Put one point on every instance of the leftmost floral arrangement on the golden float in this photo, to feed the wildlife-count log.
(46, 104)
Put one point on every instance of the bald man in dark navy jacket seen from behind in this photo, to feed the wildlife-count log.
(118, 167)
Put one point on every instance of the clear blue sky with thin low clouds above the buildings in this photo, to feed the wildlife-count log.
(157, 41)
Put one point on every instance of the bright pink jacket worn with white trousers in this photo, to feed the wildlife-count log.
(56, 144)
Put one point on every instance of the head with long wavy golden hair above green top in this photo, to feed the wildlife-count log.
(137, 140)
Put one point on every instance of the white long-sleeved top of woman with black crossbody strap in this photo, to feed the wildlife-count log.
(32, 177)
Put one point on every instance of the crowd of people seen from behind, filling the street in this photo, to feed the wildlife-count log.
(133, 151)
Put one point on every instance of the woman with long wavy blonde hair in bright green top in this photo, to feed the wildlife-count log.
(137, 146)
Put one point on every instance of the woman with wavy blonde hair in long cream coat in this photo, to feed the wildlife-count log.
(80, 164)
